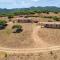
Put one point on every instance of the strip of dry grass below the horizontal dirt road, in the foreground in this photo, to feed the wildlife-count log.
(49, 55)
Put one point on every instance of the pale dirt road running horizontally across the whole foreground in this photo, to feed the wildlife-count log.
(31, 50)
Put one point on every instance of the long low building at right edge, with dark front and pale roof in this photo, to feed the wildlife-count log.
(50, 24)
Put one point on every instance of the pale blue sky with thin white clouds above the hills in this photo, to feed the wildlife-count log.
(27, 3)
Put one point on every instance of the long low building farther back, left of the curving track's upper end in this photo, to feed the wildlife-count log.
(25, 20)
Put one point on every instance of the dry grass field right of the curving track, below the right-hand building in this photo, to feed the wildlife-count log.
(50, 35)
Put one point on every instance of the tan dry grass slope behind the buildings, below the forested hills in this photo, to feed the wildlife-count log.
(42, 15)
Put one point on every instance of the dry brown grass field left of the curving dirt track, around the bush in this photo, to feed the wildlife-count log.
(17, 40)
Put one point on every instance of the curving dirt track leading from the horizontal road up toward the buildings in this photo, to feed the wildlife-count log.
(39, 42)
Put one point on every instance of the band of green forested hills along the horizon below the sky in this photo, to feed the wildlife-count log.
(31, 10)
